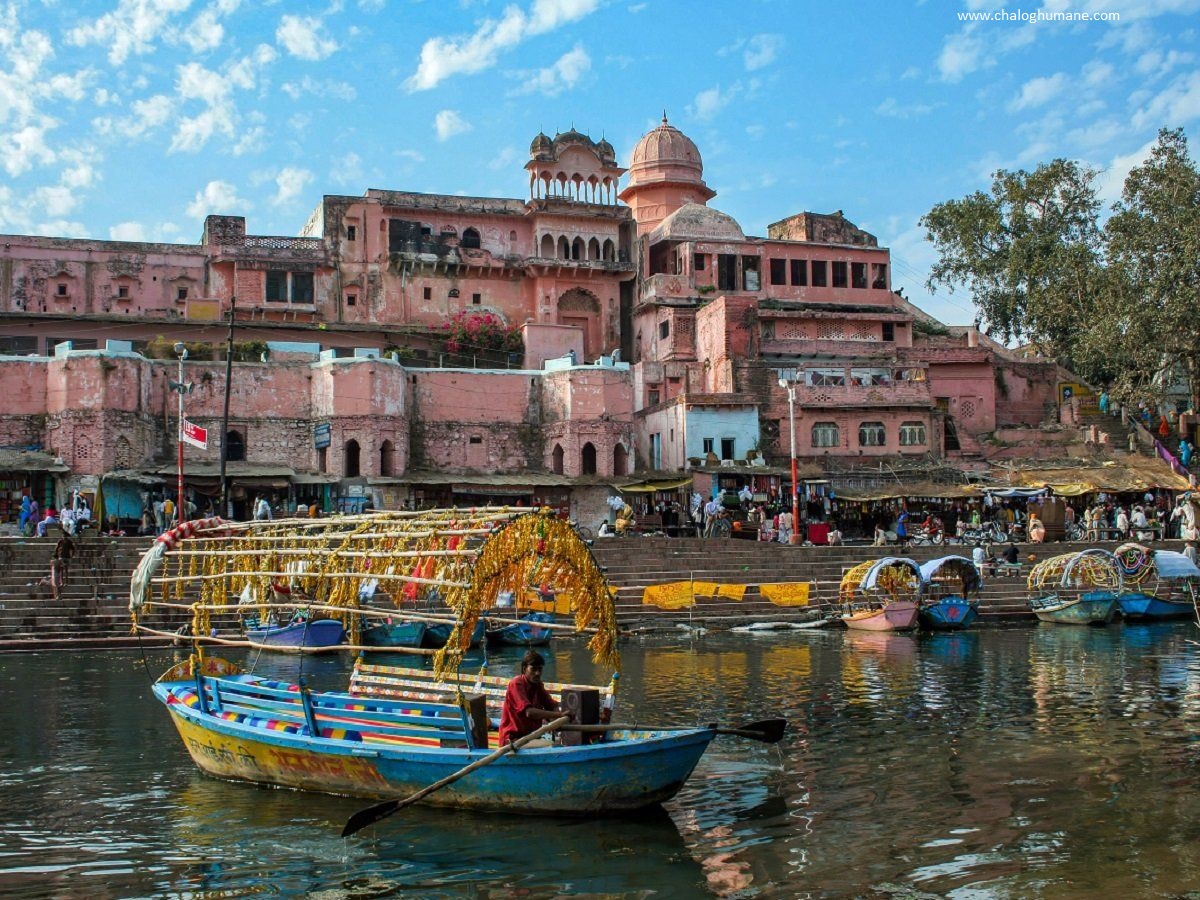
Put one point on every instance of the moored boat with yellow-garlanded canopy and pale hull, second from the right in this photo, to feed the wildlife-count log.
(1078, 589)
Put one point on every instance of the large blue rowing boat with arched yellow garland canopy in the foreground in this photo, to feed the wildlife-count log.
(386, 742)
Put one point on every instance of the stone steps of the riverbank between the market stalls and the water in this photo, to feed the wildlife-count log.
(93, 610)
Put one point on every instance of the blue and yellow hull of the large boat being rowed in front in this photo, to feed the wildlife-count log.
(250, 729)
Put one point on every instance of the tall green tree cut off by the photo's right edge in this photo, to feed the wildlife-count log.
(1151, 316)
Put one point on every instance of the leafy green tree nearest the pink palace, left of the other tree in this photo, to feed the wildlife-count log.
(1029, 253)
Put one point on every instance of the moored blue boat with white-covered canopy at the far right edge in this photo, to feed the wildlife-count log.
(1156, 584)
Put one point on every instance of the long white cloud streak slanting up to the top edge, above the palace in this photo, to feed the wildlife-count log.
(445, 58)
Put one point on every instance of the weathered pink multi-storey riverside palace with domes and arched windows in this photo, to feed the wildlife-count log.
(656, 337)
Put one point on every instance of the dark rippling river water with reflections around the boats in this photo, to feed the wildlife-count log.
(1028, 763)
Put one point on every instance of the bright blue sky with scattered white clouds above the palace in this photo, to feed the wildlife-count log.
(134, 119)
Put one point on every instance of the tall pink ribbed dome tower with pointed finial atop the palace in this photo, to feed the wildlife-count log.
(665, 173)
